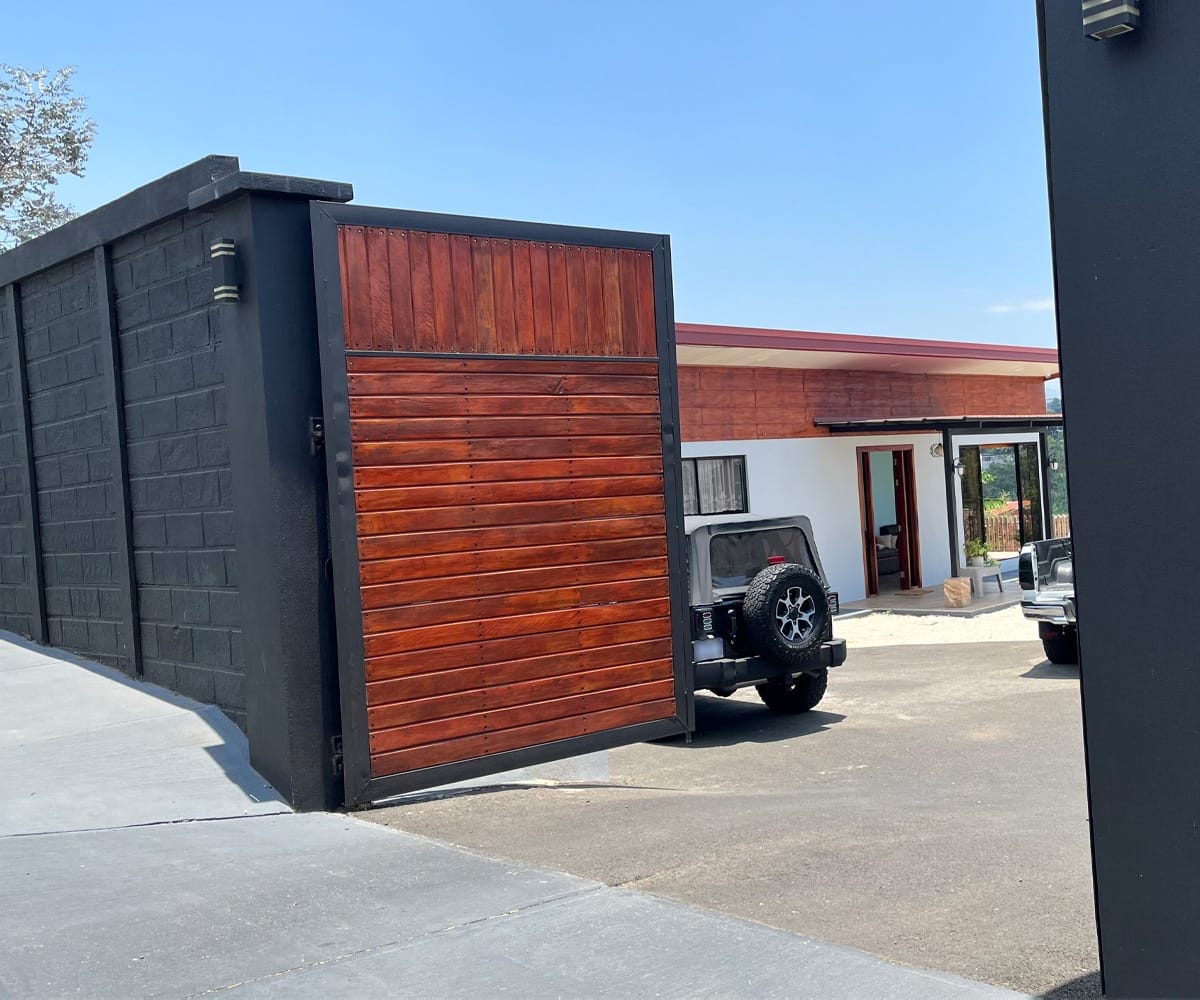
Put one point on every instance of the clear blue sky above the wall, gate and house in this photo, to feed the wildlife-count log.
(847, 167)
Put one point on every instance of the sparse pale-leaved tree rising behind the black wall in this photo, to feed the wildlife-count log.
(44, 136)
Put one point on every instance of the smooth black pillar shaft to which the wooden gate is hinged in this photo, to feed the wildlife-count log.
(269, 340)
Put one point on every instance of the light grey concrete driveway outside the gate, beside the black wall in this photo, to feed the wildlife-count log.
(142, 857)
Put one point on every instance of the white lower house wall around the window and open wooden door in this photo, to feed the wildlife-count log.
(819, 478)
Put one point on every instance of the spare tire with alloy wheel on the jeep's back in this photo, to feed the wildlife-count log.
(787, 613)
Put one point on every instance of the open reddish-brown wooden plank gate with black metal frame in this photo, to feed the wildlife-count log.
(506, 519)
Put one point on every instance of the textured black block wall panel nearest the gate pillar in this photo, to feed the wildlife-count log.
(182, 493)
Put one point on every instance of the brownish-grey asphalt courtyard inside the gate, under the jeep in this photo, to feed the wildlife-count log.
(933, 812)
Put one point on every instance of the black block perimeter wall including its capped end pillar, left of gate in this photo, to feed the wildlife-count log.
(127, 495)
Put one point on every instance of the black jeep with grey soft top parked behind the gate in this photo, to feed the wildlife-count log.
(761, 610)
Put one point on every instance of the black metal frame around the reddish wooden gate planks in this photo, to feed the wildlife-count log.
(361, 787)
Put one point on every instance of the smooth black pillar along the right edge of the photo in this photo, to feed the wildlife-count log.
(1124, 151)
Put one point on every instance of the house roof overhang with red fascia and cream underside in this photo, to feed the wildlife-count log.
(751, 348)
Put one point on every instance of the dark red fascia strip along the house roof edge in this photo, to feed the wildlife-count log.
(705, 336)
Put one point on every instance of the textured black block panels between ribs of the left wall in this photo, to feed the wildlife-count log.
(181, 487)
